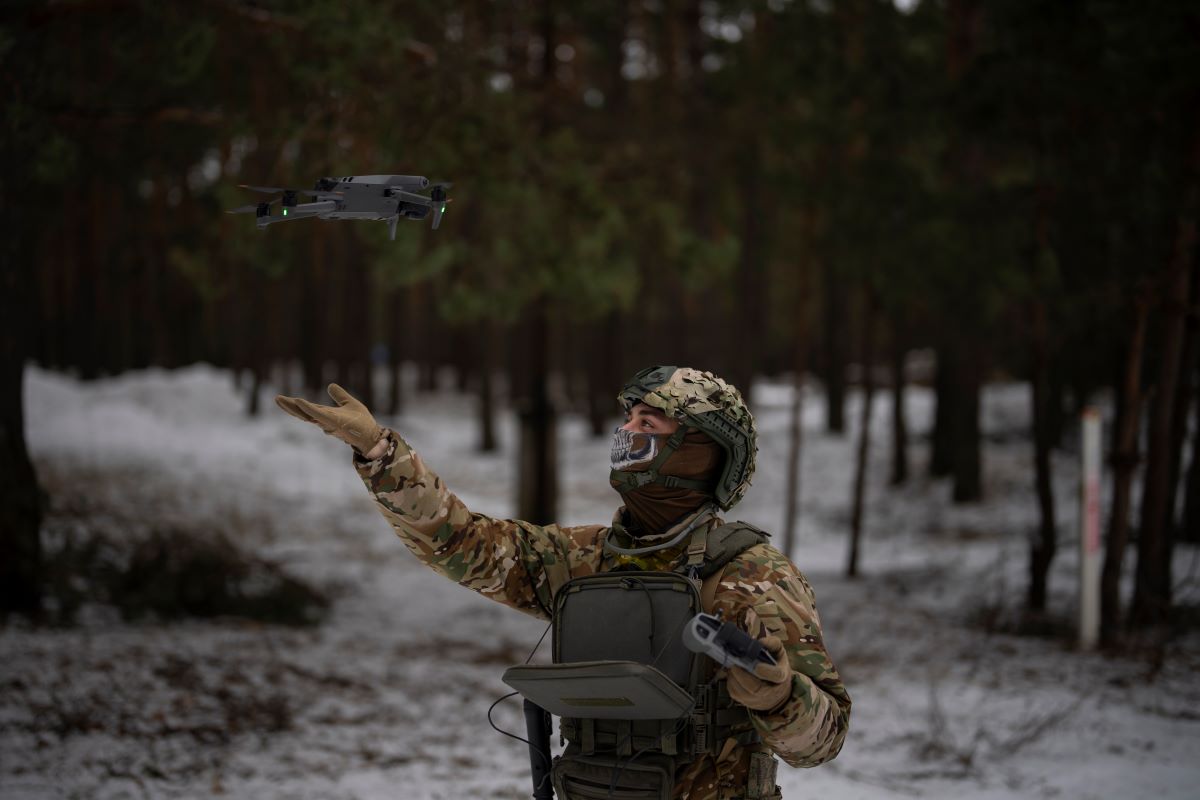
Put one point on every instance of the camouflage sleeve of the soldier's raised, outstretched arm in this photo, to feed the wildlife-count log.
(511, 562)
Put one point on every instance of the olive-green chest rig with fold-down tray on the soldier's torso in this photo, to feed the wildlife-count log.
(635, 705)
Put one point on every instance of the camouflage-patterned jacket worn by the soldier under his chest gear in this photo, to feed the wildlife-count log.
(523, 566)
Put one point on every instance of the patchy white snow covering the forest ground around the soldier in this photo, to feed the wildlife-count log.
(388, 697)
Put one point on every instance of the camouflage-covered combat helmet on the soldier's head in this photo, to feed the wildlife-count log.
(703, 401)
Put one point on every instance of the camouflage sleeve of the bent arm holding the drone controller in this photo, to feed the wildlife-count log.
(769, 597)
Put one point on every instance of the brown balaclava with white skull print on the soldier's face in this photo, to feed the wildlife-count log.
(655, 508)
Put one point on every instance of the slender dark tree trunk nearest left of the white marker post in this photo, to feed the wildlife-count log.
(1043, 548)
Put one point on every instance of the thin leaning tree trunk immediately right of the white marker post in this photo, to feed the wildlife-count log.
(1125, 462)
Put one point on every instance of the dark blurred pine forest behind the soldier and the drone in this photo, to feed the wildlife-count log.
(760, 189)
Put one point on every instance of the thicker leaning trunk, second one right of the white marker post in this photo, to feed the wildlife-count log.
(1153, 592)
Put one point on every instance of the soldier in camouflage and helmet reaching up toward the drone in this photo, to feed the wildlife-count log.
(686, 452)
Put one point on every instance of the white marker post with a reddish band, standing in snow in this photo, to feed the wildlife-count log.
(1090, 531)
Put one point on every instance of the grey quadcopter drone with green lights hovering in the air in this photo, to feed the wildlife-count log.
(355, 197)
